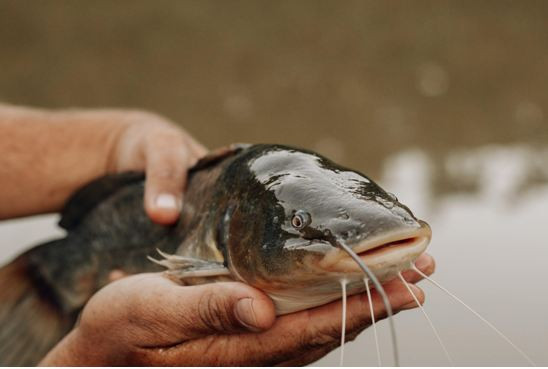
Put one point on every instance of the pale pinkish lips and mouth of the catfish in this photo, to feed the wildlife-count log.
(385, 255)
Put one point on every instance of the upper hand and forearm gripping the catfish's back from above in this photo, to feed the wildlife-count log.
(72, 147)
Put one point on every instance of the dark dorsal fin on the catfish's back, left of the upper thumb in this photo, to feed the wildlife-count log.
(89, 196)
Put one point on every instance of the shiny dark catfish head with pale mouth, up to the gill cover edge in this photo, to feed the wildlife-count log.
(301, 207)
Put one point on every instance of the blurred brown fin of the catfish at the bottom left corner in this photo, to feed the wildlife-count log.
(31, 323)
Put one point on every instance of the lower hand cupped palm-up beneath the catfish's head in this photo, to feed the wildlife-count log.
(149, 320)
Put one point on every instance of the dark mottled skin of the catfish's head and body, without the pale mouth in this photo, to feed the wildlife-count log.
(237, 214)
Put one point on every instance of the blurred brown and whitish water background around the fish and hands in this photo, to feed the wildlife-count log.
(443, 102)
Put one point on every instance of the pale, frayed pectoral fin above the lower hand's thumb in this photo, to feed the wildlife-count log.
(182, 267)
